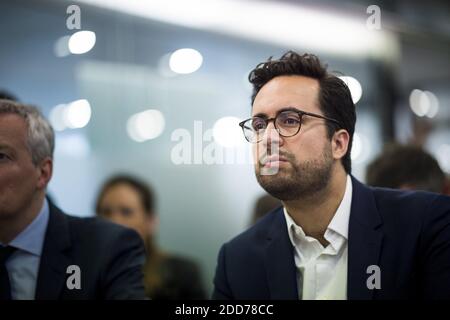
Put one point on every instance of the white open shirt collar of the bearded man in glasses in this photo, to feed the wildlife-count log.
(338, 224)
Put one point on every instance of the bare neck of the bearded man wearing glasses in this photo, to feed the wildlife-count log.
(314, 213)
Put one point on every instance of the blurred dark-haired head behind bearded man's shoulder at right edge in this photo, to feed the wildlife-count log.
(406, 167)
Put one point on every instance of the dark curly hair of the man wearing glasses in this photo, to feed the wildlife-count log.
(335, 99)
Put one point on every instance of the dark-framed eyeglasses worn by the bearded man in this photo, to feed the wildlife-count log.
(287, 123)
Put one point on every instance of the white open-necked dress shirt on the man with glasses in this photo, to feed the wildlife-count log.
(322, 272)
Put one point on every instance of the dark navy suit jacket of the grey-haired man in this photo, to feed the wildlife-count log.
(109, 256)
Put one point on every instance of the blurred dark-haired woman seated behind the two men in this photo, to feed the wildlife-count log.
(130, 202)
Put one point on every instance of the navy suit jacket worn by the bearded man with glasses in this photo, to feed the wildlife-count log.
(406, 234)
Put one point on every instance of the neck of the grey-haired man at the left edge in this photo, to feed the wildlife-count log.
(12, 225)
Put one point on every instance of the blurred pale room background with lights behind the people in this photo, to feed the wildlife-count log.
(153, 88)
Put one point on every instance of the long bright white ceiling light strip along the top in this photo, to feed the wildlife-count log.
(285, 24)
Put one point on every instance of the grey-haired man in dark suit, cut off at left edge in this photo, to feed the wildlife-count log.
(44, 253)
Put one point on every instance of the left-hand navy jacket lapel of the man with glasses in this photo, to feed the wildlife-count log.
(279, 260)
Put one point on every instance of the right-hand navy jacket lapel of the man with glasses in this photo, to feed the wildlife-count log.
(364, 244)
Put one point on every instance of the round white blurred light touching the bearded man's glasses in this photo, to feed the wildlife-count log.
(227, 133)
